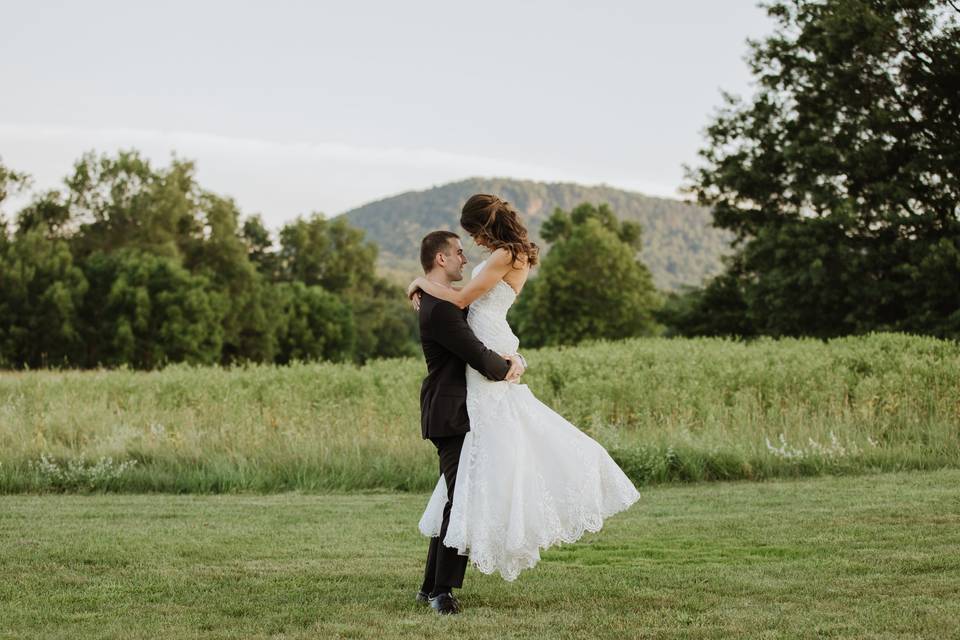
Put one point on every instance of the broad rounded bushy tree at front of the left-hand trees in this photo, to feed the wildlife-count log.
(146, 311)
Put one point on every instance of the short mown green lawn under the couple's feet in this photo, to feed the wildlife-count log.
(832, 557)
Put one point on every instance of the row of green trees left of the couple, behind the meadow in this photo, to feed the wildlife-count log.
(130, 264)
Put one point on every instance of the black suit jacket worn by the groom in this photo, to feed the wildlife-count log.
(449, 344)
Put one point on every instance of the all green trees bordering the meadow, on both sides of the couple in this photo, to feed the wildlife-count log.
(839, 180)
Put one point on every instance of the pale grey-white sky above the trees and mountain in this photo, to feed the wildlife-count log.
(297, 107)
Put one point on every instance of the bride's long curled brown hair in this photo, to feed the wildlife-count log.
(494, 223)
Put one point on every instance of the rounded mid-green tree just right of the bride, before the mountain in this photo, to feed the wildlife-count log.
(591, 284)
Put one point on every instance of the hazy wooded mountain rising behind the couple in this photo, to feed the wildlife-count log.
(679, 245)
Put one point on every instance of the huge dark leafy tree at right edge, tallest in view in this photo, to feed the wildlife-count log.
(841, 177)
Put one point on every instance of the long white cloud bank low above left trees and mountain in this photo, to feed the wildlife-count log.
(277, 179)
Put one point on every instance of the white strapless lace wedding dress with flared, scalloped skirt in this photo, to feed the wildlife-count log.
(527, 478)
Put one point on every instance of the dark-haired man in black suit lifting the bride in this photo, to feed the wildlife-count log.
(448, 346)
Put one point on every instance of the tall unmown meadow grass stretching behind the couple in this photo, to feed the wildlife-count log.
(665, 409)
